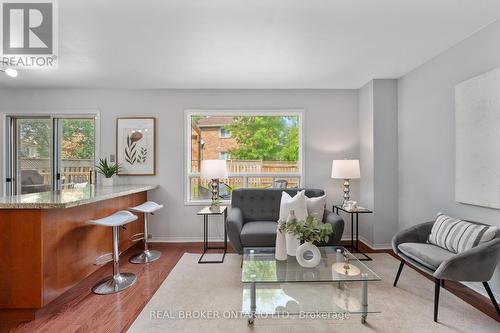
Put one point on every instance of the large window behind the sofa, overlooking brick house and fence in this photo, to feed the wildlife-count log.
(262, 149)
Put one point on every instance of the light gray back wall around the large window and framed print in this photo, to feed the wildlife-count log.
(331, 132)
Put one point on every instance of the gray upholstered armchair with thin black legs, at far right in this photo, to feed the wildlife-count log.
(476, 264)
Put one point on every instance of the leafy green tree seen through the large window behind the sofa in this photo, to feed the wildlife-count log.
(271, 138)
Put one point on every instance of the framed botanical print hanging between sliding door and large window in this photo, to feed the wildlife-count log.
(135, 146)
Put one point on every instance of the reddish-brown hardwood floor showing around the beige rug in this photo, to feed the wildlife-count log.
(79, 310)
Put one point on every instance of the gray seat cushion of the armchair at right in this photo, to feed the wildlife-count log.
(431, 256)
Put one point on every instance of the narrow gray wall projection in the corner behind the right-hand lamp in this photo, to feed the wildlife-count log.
(379, 161)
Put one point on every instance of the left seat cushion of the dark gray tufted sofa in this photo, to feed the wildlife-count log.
(259, 233)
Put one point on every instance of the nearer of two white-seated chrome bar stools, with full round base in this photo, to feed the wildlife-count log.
(119, 281)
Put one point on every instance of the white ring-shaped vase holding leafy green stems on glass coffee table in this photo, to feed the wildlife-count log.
(308, 231)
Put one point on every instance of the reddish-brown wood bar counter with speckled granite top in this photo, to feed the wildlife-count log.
(46, 247)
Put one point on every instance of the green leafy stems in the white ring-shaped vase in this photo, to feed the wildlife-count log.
(309, 230)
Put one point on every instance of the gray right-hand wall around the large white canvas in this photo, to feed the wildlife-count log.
(427, 132)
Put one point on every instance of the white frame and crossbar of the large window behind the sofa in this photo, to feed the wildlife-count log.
(300, 113)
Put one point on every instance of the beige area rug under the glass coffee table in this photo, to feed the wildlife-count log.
(213, 290)
